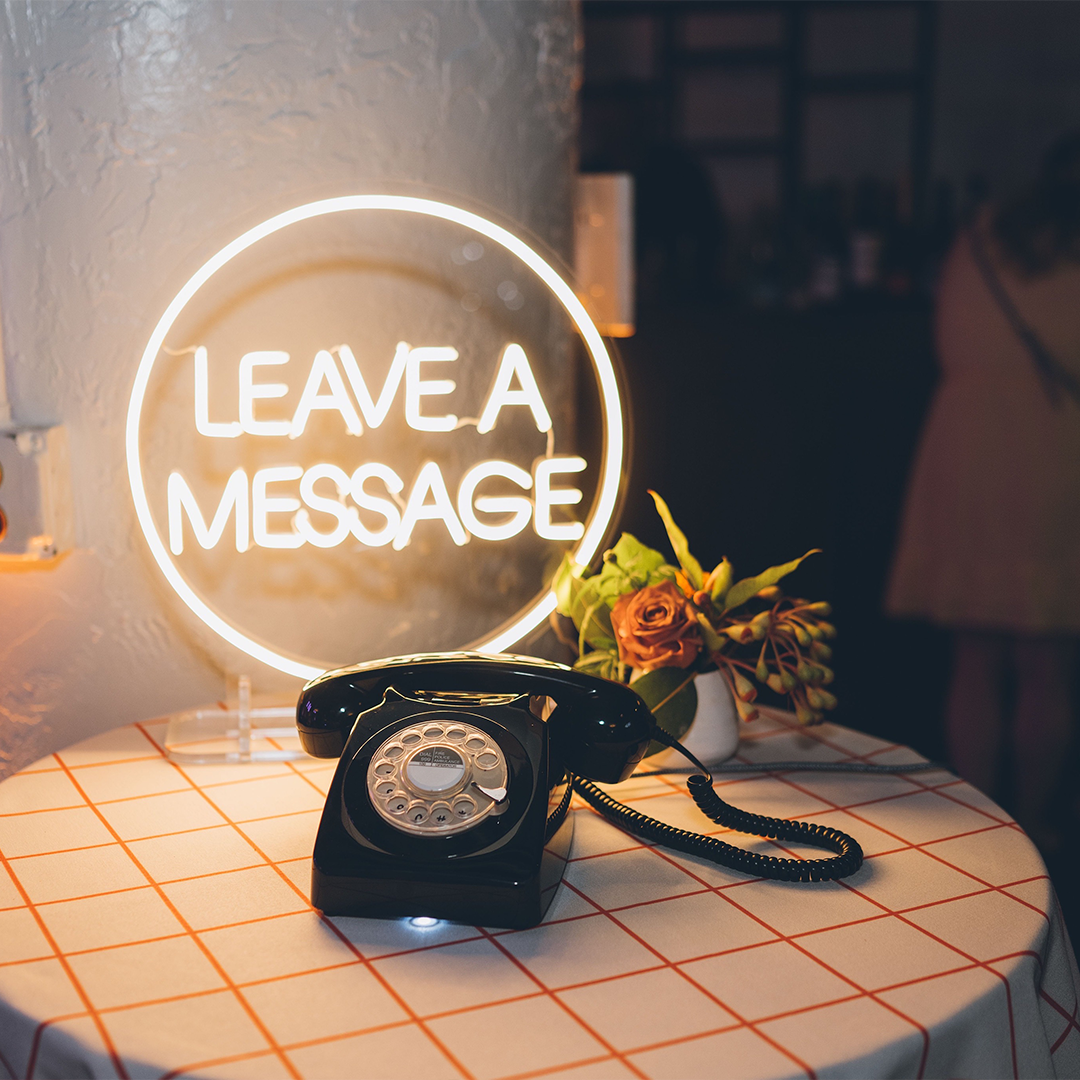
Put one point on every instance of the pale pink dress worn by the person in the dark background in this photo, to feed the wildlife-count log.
(991, 532)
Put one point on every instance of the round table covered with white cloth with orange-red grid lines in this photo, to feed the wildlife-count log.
(155, 922)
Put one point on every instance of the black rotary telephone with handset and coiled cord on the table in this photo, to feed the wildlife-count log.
(455, 778)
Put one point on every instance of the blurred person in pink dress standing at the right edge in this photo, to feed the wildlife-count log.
(990, 542)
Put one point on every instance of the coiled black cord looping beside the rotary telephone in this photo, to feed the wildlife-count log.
(847, 860)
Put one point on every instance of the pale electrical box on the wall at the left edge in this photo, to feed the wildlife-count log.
(36, 511)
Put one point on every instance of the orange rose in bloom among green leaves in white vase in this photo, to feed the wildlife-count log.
(656, 628)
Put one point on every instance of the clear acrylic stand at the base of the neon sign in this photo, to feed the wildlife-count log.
(212, 736)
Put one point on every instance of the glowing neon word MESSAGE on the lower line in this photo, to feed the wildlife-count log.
(428, 501)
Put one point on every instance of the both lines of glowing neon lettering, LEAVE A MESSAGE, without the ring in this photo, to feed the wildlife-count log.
(252, 505)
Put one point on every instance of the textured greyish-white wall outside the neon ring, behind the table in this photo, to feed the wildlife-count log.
(134, 134)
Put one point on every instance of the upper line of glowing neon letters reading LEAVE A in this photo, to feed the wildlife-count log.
(407, 368)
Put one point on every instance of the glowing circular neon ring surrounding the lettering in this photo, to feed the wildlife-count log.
(612, 410)
